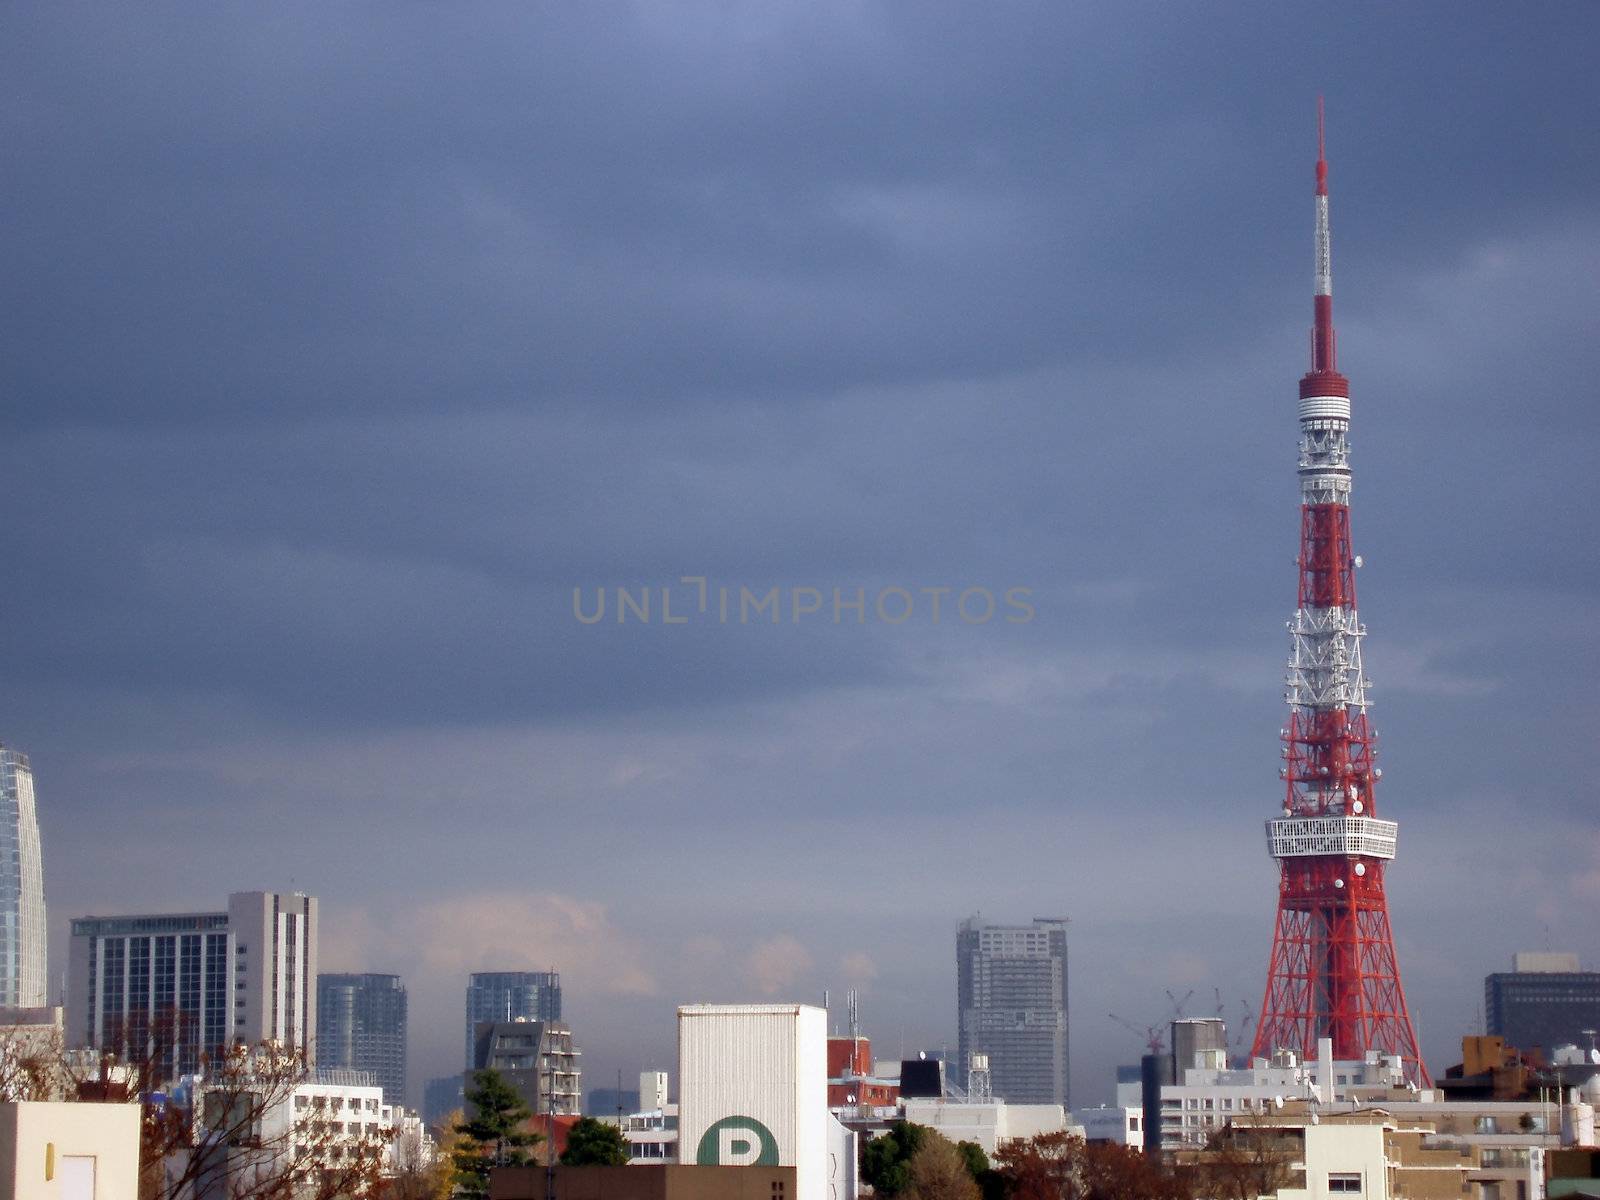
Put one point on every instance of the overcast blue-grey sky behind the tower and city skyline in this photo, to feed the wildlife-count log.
(343, 343)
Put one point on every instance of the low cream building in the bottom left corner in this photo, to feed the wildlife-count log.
(70, 1151)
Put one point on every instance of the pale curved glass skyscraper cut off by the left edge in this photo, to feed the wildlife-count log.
(23, 970)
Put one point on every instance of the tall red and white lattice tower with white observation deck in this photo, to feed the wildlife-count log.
(1334, 961)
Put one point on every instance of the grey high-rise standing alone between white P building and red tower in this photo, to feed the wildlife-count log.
(1012, 998)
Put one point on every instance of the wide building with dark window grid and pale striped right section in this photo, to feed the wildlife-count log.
(174, 986)
